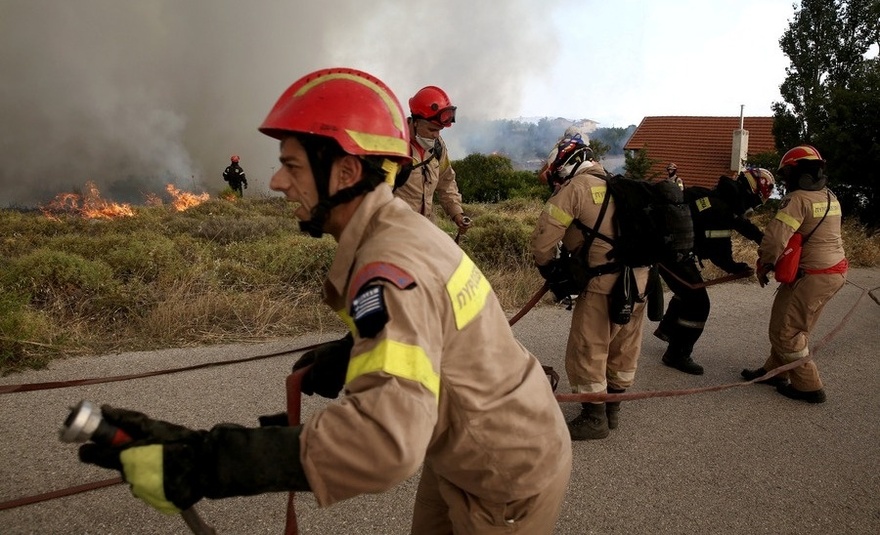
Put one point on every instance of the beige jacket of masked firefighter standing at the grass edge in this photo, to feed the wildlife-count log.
(436, 175)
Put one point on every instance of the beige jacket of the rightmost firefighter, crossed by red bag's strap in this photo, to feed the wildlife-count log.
(801, 211)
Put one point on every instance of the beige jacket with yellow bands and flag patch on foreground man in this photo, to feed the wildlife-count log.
(444, 382)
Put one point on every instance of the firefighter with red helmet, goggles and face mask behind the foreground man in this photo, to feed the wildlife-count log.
(430, 112)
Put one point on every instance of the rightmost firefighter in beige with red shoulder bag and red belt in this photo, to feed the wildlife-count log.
(811, 210)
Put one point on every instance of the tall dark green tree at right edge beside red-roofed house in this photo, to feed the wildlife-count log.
(831, 96)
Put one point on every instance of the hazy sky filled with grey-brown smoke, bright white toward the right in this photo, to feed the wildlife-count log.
(137, 94)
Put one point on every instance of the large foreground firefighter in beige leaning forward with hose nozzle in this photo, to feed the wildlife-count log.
(431, 371)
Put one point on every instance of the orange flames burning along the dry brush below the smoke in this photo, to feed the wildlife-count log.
(90, 205)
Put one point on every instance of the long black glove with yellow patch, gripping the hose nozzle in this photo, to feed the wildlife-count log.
(172, 467)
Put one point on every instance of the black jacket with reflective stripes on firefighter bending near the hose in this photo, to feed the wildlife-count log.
(716, 212)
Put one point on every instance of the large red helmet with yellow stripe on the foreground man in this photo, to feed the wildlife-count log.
(356, 109)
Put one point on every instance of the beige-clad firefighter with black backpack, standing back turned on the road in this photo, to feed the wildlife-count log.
(601, 356)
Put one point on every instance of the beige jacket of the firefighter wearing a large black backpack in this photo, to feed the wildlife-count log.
(580, 198)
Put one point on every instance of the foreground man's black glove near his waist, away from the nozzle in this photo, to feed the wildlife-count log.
(329, 364)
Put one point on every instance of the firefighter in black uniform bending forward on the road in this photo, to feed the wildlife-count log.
(716, 213)
